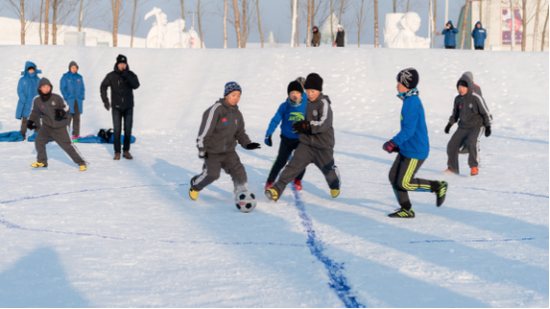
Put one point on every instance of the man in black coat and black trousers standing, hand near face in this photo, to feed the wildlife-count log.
(122, 82)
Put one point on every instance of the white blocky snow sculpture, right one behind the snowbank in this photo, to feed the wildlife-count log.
(399, 31)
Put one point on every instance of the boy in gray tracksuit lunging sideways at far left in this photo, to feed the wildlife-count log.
(53, 110)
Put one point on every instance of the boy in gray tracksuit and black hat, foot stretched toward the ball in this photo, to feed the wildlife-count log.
(316, 142)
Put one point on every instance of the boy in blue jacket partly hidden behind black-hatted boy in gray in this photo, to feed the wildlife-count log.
(289, 112)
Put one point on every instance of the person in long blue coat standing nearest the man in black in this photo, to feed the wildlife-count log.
(72, 88)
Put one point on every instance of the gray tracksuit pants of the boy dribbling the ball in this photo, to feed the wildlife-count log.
(214, 162)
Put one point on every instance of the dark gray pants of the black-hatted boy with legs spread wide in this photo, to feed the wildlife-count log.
(303, 156)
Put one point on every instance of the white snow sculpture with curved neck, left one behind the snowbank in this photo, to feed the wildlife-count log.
(168, 35)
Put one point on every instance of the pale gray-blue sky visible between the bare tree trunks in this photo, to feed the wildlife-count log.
(275, 15)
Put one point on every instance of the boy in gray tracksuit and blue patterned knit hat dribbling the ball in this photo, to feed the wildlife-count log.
(221, 128)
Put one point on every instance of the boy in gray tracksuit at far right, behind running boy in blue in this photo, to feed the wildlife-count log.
(474, 115)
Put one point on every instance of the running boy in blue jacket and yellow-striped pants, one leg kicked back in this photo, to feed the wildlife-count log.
(412, 146)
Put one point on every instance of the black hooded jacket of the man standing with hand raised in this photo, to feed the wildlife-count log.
(122, 94)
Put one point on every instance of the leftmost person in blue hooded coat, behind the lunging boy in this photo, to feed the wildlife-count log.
(27, 90)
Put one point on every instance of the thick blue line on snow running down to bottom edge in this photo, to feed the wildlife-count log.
(338, 281)
